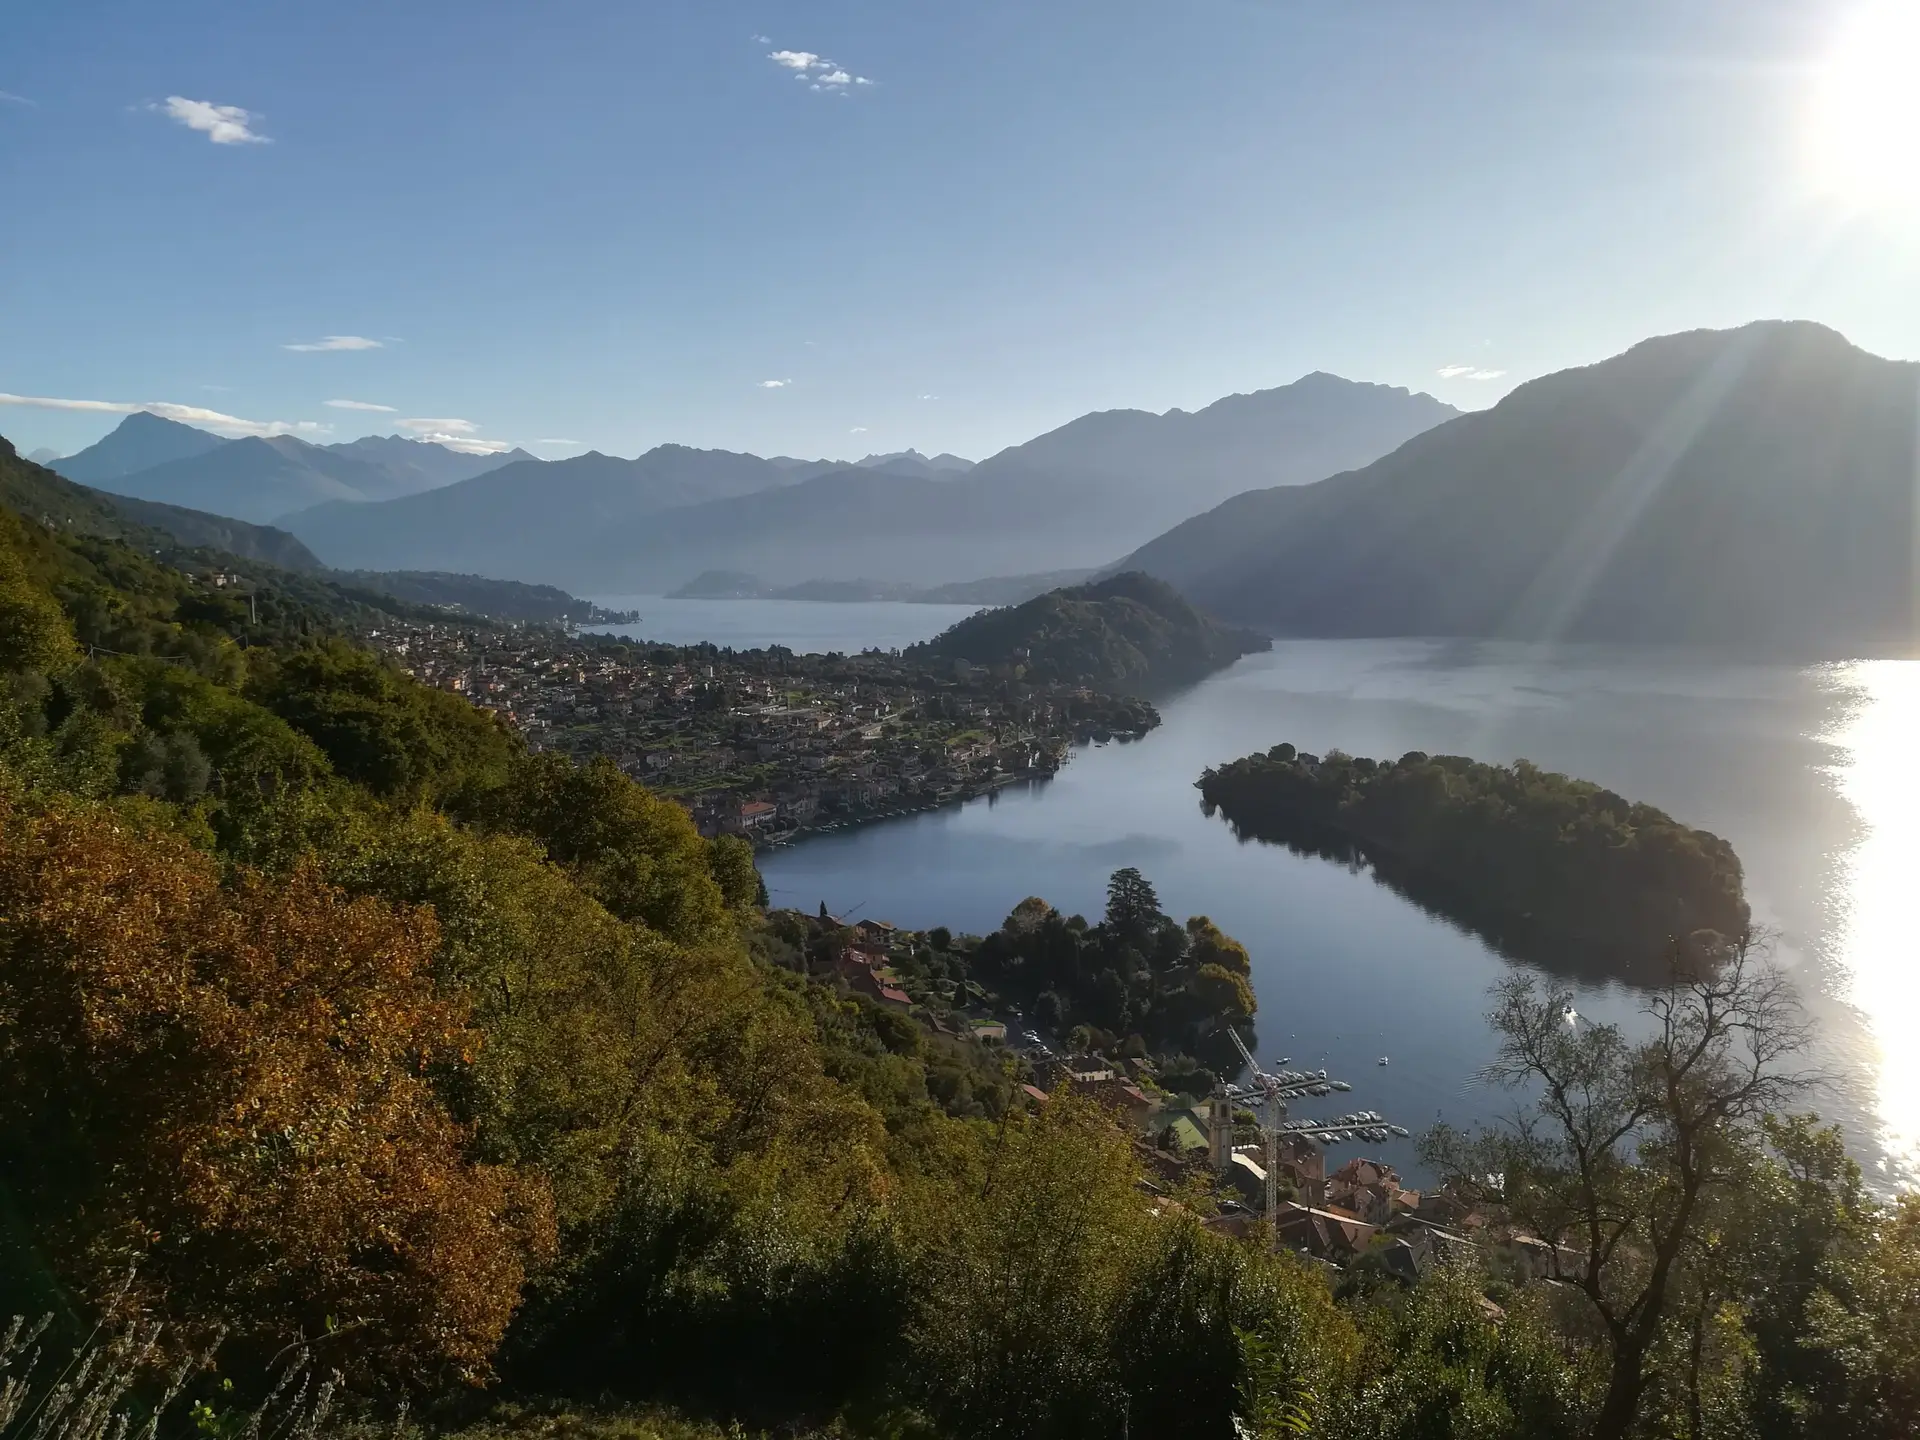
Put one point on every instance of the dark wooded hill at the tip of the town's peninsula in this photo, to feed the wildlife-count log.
(1128, 635)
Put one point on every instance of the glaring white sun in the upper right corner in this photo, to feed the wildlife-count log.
(1865, 118)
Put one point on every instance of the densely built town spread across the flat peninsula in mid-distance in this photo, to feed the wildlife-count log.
(769, 744)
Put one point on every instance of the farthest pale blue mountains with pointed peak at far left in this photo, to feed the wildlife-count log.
(262, 479)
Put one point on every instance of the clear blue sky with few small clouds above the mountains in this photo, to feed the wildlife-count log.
(830, 228)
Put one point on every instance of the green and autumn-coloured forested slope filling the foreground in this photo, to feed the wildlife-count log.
(347, 1045)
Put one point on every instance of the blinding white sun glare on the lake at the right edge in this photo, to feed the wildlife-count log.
(1879, 957)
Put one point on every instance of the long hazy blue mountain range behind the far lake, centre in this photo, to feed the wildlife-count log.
(1074, 498)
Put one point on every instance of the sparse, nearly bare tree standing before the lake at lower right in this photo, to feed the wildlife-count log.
(1629, 1147)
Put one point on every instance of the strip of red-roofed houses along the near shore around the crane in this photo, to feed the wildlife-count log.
(1197, 1151)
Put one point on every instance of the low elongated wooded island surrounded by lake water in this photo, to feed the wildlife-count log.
(1548, 869)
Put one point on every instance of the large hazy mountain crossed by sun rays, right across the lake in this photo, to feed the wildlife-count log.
(1740, 487)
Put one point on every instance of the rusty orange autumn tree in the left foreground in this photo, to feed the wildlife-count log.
(229, 1088)
